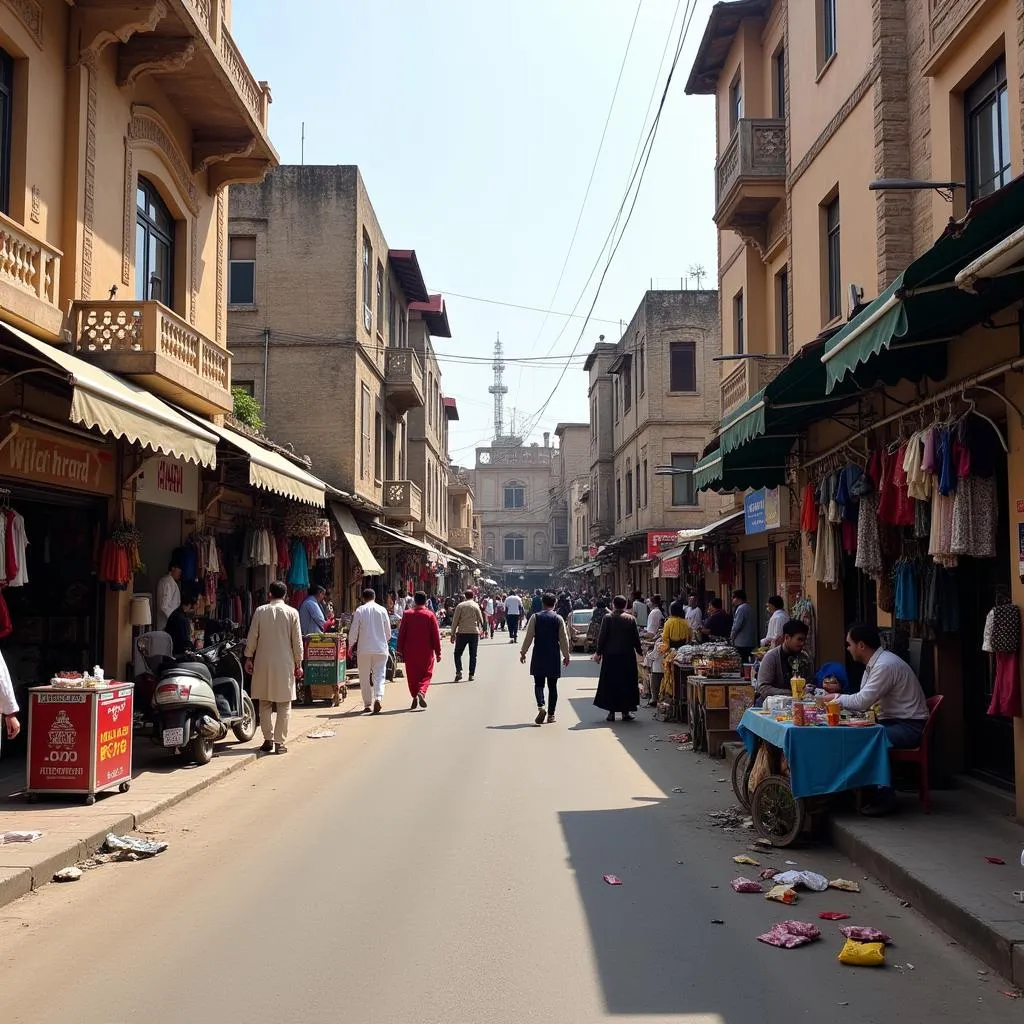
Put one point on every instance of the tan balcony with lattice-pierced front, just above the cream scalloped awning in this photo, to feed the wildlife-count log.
(156, 348)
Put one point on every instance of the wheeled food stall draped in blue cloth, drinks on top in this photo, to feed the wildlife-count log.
(798, 757)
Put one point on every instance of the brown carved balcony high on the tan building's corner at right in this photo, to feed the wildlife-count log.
(750, 179)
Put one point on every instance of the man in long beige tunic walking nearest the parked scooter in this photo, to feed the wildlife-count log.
(274, 659)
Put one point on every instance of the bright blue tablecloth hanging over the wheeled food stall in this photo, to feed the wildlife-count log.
(824, 759)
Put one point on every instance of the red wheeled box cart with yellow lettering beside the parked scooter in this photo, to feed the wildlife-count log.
(80, 740)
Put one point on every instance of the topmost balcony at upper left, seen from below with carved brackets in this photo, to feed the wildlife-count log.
(202, 72)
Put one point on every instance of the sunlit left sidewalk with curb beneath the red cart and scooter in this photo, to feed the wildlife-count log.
(73, 832)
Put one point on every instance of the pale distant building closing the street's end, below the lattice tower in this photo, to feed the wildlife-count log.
(511, 483)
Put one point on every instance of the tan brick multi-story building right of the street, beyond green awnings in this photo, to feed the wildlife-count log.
(663, 393)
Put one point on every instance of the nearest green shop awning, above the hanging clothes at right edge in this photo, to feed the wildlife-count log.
(926, 307)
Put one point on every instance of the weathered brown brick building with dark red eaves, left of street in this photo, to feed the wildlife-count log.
(331, 329)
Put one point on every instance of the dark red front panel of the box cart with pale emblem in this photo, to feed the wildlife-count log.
(59, 736)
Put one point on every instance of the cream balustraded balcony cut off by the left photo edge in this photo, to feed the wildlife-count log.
(30, 280)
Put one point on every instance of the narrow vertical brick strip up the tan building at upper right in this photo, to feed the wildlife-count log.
(892, 144)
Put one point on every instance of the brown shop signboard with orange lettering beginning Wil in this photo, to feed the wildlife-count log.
(59, 460)
